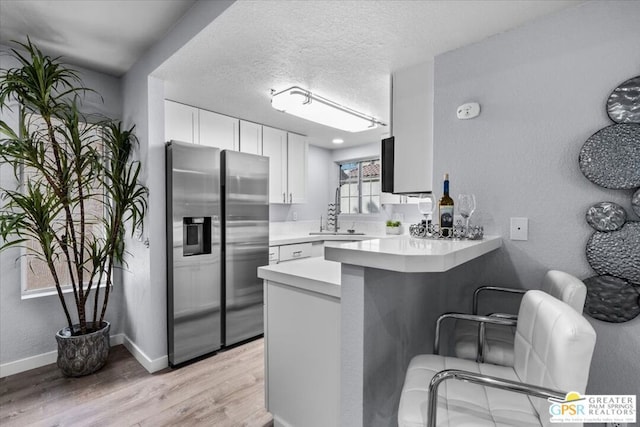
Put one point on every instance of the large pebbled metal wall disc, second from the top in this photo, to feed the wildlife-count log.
(611, 157)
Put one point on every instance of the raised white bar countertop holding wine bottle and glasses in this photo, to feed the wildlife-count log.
(411, 255)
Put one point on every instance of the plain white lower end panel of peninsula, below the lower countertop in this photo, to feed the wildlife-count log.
(302, 356)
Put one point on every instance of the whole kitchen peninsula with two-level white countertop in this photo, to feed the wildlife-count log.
(365, 310)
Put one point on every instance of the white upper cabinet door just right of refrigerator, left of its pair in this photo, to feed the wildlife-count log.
(274, 146)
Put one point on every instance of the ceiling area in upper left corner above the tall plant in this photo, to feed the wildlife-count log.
(103, 35)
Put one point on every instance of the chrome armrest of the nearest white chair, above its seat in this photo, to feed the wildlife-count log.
(487, 381)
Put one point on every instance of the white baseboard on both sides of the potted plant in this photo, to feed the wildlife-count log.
(37, 361)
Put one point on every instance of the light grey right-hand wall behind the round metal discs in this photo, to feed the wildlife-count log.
(543, 89)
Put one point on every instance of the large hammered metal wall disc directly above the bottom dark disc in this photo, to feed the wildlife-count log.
(616, 253)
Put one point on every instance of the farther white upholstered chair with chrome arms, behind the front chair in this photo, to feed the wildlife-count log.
(498, 339)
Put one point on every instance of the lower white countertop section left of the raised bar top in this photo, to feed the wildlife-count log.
(313, 274)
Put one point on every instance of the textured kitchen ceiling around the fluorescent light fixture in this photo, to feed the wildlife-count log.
(344, 51)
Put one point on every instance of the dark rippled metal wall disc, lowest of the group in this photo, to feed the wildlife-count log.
(611, 299)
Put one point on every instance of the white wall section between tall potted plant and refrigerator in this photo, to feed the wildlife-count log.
(145, 283)
